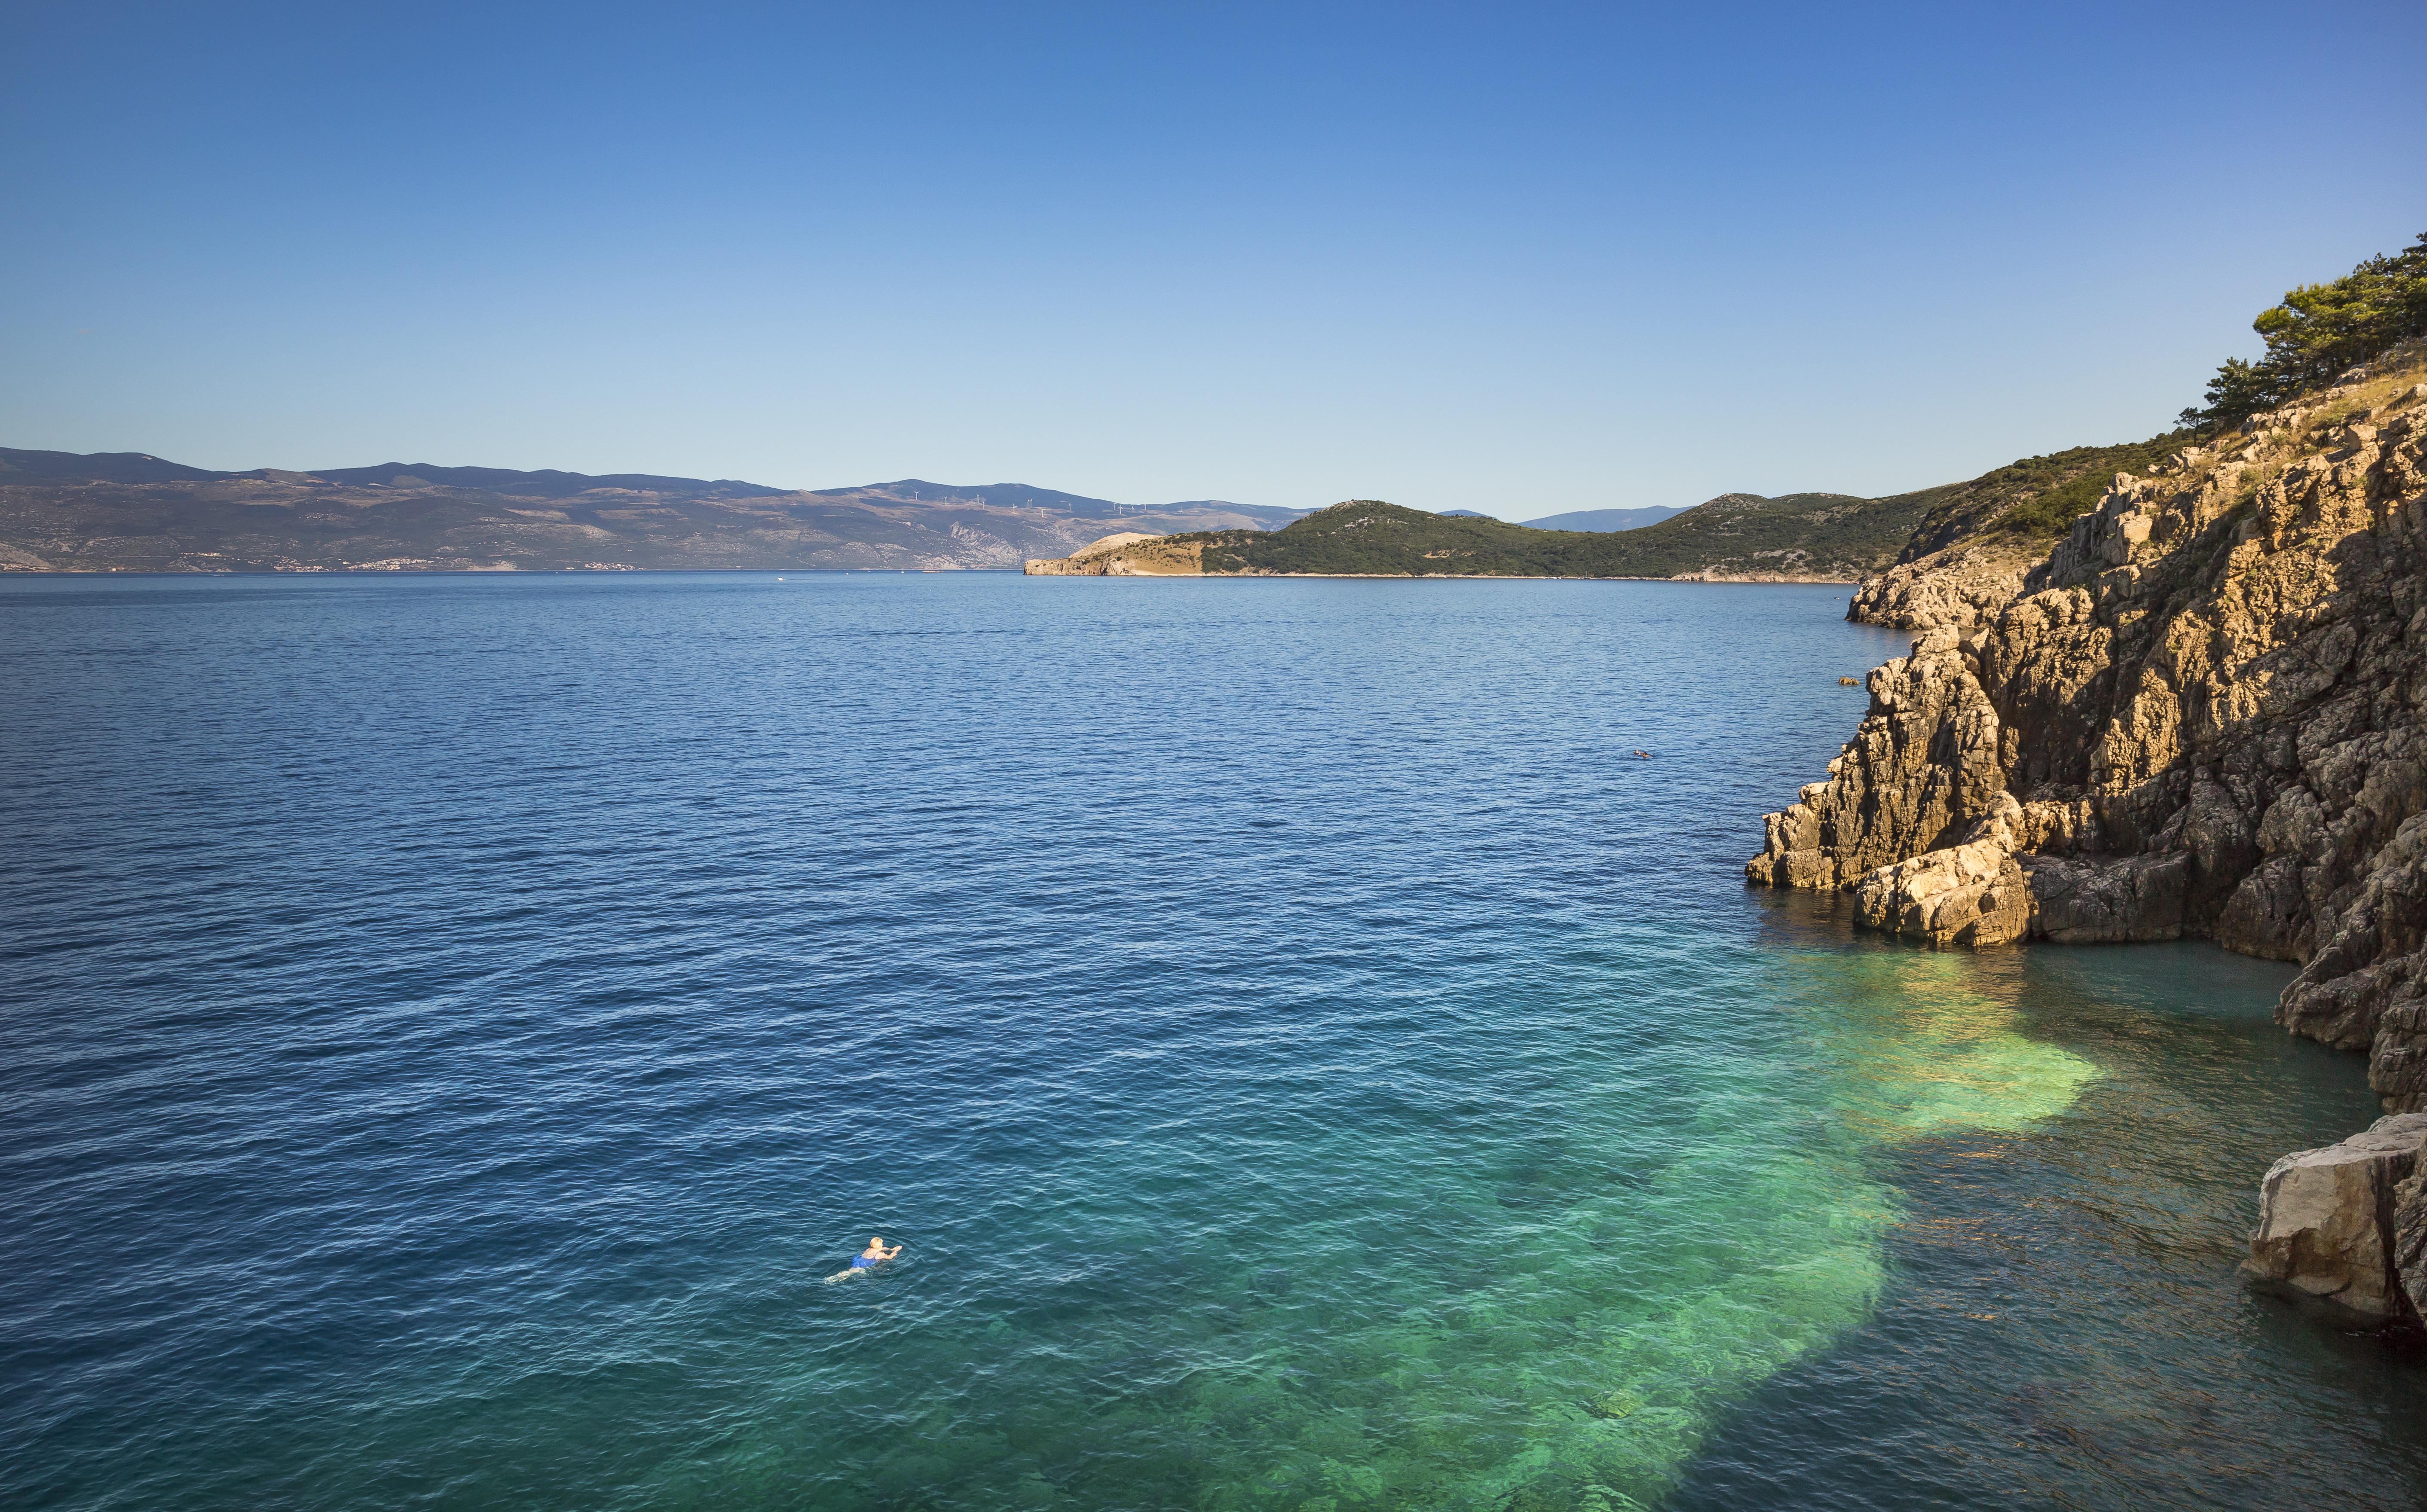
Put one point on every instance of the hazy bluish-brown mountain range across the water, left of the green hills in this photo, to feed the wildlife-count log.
(137, 513)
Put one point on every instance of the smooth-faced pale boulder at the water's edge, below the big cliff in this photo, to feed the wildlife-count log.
(2331, 1222)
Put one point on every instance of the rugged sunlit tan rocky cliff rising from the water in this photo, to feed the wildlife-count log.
(2200, 715)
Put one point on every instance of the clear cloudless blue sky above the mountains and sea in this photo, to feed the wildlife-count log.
(1516, 258)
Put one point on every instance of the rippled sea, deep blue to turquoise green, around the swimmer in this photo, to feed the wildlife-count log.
(455, 1028)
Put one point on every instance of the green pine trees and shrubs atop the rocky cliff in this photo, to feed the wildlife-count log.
(2319, 331)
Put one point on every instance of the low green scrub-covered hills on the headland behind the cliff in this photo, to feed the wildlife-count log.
(1739, 535)
